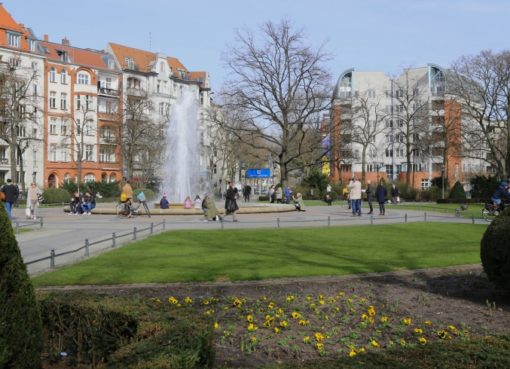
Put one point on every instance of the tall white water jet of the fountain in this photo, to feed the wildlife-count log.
(182, 172)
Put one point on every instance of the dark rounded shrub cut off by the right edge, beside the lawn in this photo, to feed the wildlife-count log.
(495, 250)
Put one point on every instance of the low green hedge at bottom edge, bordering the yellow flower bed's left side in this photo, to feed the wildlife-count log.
(185, 344)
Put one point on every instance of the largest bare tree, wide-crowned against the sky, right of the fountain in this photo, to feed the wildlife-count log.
(281, 87)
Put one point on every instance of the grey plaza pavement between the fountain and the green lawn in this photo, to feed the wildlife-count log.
(62, 232)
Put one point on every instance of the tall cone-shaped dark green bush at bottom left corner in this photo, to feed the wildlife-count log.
(20, 323)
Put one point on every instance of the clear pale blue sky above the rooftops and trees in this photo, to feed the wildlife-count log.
(368, 35)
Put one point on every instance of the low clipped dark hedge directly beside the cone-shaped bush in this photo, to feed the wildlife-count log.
(88, 333)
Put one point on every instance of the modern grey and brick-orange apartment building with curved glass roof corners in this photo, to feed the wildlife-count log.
(386, 123)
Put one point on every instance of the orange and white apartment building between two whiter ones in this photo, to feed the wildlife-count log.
(83, 114)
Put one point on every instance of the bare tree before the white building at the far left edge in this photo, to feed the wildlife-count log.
(19, 112)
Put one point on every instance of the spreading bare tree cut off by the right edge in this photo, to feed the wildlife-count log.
(481, 83)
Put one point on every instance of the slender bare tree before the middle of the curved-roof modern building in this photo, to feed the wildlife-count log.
(410, 119)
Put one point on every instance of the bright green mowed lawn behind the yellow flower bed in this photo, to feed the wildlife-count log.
(179, 256)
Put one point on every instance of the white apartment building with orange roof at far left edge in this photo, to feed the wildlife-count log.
(21, 103)
